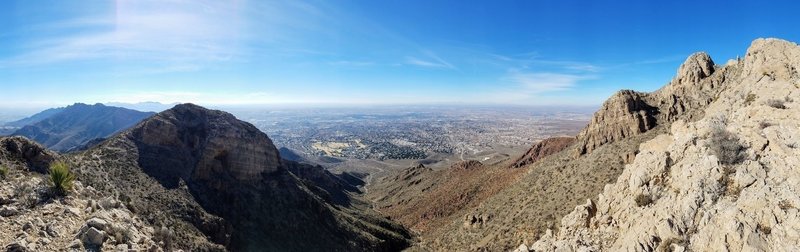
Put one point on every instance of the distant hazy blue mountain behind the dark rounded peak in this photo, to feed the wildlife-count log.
(77, 124)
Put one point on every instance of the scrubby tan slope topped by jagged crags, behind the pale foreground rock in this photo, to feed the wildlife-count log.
(555, 184)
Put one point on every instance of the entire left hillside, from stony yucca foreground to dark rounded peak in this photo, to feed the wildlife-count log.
(192, 179)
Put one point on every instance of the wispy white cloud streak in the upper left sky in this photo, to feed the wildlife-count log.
(172, 34)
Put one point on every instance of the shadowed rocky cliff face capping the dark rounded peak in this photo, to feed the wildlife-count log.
(210, 147)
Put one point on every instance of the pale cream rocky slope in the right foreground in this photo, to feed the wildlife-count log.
(727, 181)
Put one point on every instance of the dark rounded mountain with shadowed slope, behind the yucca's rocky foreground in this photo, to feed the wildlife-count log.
(216, 180)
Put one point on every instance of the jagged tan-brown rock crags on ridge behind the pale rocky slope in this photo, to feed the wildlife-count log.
(629, 113)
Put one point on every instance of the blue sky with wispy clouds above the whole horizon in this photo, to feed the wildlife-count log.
(364, 52)
